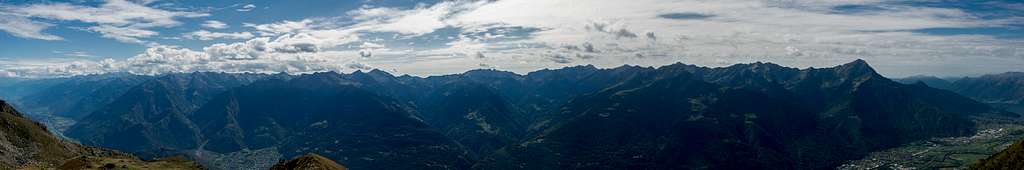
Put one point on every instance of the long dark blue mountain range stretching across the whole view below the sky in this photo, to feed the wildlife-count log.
(750, 116)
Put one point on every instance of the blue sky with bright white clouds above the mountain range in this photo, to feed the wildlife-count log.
(40, 39)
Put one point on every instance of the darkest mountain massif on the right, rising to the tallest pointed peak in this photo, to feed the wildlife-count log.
(752, 116)
